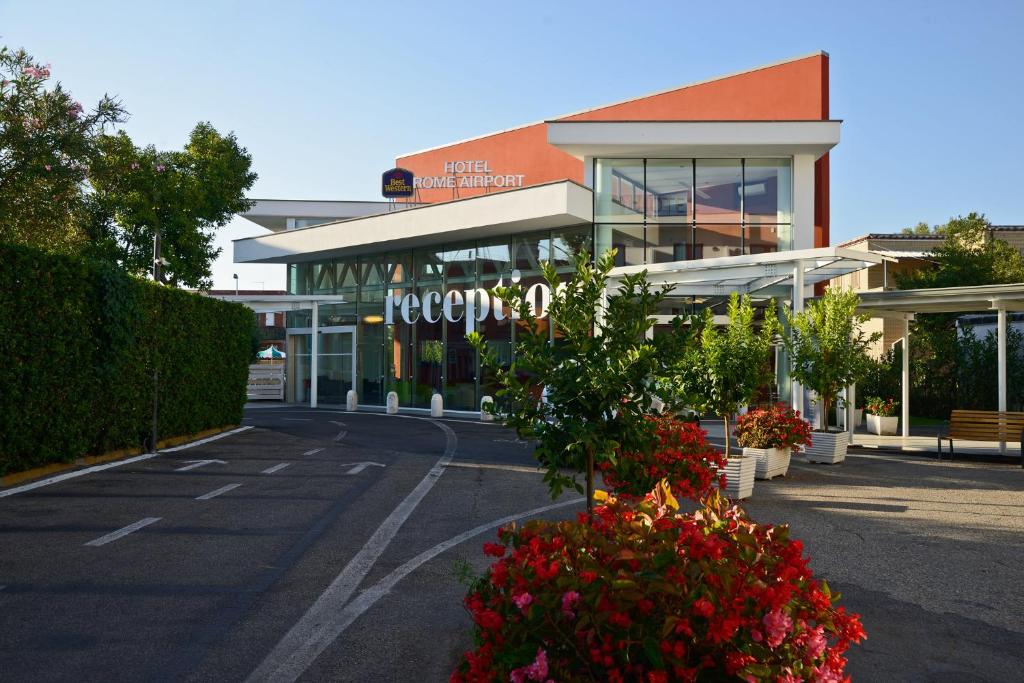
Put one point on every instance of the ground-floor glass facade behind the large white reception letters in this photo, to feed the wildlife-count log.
(432, 355)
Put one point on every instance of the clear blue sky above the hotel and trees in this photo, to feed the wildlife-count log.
(325, 96)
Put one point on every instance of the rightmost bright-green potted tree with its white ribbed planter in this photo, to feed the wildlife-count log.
(828, 350)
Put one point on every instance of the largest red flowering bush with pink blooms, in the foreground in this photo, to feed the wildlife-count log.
(643, 593)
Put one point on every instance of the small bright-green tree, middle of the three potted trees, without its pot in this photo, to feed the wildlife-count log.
(726, 367)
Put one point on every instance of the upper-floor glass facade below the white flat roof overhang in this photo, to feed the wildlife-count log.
(662, 210)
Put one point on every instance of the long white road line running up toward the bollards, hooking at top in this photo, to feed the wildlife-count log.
(320, 626)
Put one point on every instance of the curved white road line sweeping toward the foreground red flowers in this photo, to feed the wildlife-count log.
(342, 617)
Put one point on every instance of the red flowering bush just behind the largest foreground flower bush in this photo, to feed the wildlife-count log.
(681, 455)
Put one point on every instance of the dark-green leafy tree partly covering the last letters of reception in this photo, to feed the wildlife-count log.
(599, 376)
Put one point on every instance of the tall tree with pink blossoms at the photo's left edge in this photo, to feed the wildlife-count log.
(49, 143)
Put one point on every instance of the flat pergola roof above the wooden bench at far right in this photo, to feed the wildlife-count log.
(944, 301)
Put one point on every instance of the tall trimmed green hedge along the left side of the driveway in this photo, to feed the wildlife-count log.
(78, 345)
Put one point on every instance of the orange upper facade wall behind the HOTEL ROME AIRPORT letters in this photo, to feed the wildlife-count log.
(795, 91)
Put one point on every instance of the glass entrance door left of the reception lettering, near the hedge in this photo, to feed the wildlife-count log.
(335, 365)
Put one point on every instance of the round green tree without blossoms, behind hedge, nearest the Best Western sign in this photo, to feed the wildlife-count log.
(185, 195)
